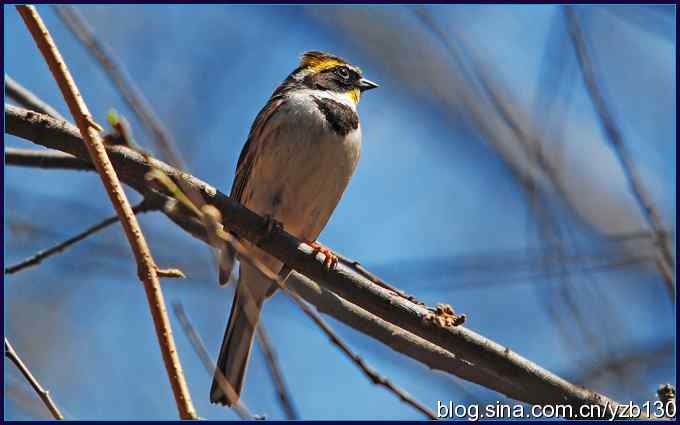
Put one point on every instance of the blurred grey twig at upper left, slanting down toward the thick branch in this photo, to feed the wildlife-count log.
(132, 96)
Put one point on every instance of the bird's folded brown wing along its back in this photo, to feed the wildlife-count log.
(247, 158)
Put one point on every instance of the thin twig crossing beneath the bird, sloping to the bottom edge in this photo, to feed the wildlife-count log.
(212, 214)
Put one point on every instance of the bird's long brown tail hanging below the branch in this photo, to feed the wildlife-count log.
(249, 296)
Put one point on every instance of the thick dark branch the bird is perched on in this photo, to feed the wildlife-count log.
(480, 359)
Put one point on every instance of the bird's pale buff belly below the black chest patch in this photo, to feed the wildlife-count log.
(301, 177)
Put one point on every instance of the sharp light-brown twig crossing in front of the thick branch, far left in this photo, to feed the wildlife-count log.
(145, 264)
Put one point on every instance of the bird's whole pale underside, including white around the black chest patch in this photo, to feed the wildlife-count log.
(304, 167)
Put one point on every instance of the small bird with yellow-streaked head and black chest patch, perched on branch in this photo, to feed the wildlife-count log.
(299, 157)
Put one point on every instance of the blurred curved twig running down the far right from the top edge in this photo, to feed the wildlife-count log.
(665, 262)
